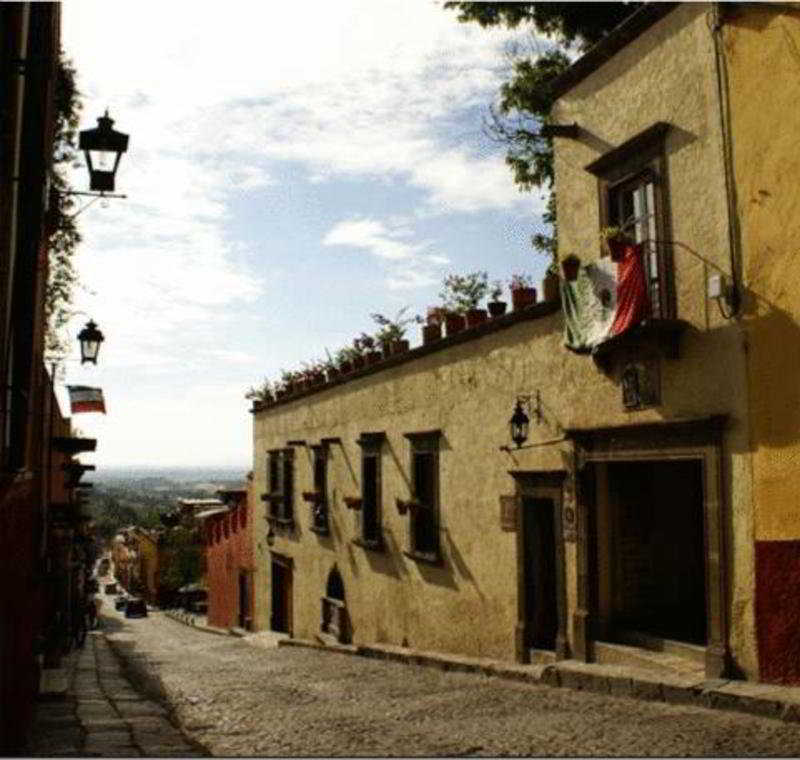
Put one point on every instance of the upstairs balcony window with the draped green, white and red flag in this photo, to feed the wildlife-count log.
(633, 195)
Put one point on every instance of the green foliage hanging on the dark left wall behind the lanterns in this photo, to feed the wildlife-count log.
(63, 235)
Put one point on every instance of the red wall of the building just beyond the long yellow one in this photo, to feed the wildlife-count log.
(229, 551)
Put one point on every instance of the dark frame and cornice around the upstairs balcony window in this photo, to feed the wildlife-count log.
(642, 161)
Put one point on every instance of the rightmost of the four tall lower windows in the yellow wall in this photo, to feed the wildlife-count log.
(424, 512)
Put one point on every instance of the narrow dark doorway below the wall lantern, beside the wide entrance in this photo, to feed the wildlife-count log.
(539, 573)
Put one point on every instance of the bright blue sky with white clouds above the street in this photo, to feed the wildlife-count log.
(292, 169)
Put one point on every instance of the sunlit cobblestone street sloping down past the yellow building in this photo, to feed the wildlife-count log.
(249, 697)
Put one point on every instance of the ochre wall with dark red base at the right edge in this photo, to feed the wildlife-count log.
(762, 50)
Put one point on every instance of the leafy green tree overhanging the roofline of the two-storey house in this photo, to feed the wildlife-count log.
(525, 100)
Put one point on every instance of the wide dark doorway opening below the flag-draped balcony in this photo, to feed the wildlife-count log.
(651, 541)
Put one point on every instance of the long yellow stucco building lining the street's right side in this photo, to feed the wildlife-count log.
(631, 518)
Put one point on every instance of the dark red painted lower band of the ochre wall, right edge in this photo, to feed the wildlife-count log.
(778, 610)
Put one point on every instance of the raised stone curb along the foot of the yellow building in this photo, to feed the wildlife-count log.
(761, 700)
